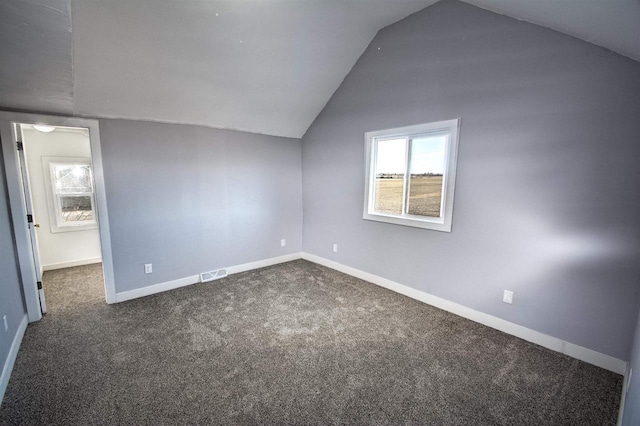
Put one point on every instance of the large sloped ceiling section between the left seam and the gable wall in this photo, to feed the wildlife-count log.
(265, 66)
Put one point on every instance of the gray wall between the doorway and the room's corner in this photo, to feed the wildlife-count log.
(191, 199)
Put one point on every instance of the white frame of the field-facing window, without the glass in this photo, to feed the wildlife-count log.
(449, 128)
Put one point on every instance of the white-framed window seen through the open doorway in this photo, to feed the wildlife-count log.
(71, 194)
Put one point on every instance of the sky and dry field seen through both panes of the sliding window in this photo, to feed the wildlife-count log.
(425, 171)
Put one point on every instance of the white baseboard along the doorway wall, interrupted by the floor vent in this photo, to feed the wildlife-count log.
(194, 279)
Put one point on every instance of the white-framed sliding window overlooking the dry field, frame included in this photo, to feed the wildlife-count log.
(410, 175)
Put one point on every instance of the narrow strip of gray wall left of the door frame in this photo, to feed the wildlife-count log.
(11, 301)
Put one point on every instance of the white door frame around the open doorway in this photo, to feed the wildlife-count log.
(17, 201)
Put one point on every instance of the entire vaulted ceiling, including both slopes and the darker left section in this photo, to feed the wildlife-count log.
(264, 66)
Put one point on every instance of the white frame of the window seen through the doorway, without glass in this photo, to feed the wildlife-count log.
(57, 224)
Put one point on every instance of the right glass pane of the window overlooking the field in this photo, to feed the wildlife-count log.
(426, 169)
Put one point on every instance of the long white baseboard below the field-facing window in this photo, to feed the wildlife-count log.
(587, 355)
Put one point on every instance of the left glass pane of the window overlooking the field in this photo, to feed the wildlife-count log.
(390, 169)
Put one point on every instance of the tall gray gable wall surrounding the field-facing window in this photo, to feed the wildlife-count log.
(546, 195)
